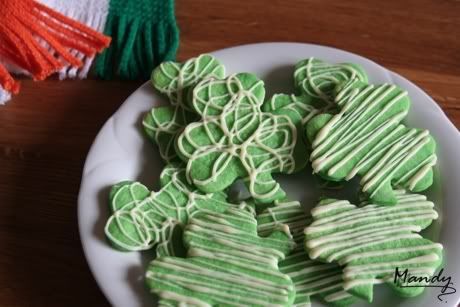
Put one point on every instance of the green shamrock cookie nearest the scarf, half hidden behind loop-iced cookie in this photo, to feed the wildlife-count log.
(175, 80)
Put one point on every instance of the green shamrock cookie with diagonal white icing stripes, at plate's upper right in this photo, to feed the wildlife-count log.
(366, 138)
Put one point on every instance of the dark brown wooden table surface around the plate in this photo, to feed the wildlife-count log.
(46, 131)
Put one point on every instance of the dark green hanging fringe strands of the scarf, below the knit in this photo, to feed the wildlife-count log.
(138, 47)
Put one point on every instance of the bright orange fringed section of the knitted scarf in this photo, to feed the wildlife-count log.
(40, 40)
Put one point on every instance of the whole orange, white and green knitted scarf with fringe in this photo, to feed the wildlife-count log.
(41, 37)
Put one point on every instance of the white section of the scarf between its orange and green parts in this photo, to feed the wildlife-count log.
(92, 13)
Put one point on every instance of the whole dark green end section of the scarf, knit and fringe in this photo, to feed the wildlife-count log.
(144, 34)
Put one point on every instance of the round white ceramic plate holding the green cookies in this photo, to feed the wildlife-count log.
(120, 152)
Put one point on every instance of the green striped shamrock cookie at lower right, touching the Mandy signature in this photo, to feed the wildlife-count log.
(372, 241)
